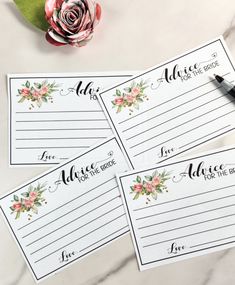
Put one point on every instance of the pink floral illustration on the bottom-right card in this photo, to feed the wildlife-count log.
(150, 186)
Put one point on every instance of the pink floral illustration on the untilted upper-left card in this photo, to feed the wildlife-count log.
(37, 93)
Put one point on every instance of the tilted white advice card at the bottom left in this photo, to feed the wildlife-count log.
(70, 211)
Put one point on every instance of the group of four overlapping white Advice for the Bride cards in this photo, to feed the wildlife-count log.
(174, 208)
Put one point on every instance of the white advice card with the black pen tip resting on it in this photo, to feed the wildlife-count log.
(173, 107)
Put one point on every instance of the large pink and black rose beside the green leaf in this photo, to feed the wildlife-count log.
(72, 21)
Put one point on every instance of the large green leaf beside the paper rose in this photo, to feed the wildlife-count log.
(34, 12)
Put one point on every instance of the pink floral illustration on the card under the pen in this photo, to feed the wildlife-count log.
(131, 97)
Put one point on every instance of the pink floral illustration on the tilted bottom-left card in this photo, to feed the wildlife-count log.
(29, 201)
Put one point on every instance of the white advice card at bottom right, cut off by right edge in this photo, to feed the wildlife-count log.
(181, 210)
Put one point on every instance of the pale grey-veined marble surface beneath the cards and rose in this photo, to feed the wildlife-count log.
(133, 35)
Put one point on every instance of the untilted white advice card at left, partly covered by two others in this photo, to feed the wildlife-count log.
(54, 116)
